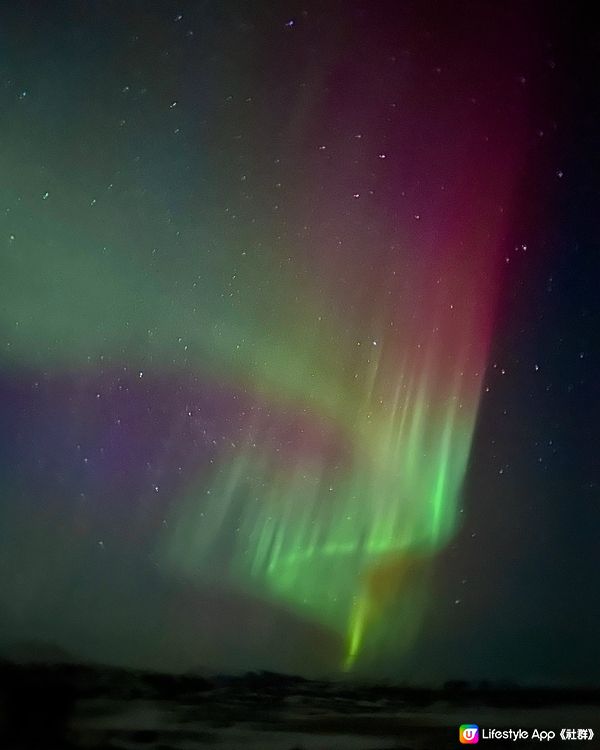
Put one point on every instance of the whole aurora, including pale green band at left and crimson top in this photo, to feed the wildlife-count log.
(325, 255)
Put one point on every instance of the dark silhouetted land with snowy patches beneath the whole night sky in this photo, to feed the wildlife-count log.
(47, 706)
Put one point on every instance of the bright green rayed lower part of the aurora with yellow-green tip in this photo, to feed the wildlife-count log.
(336, 542)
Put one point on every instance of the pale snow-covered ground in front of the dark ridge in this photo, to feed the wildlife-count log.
(298, 725)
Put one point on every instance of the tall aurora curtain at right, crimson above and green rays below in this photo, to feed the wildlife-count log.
(407, 311)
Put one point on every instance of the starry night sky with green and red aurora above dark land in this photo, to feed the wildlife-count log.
(298, 325)
